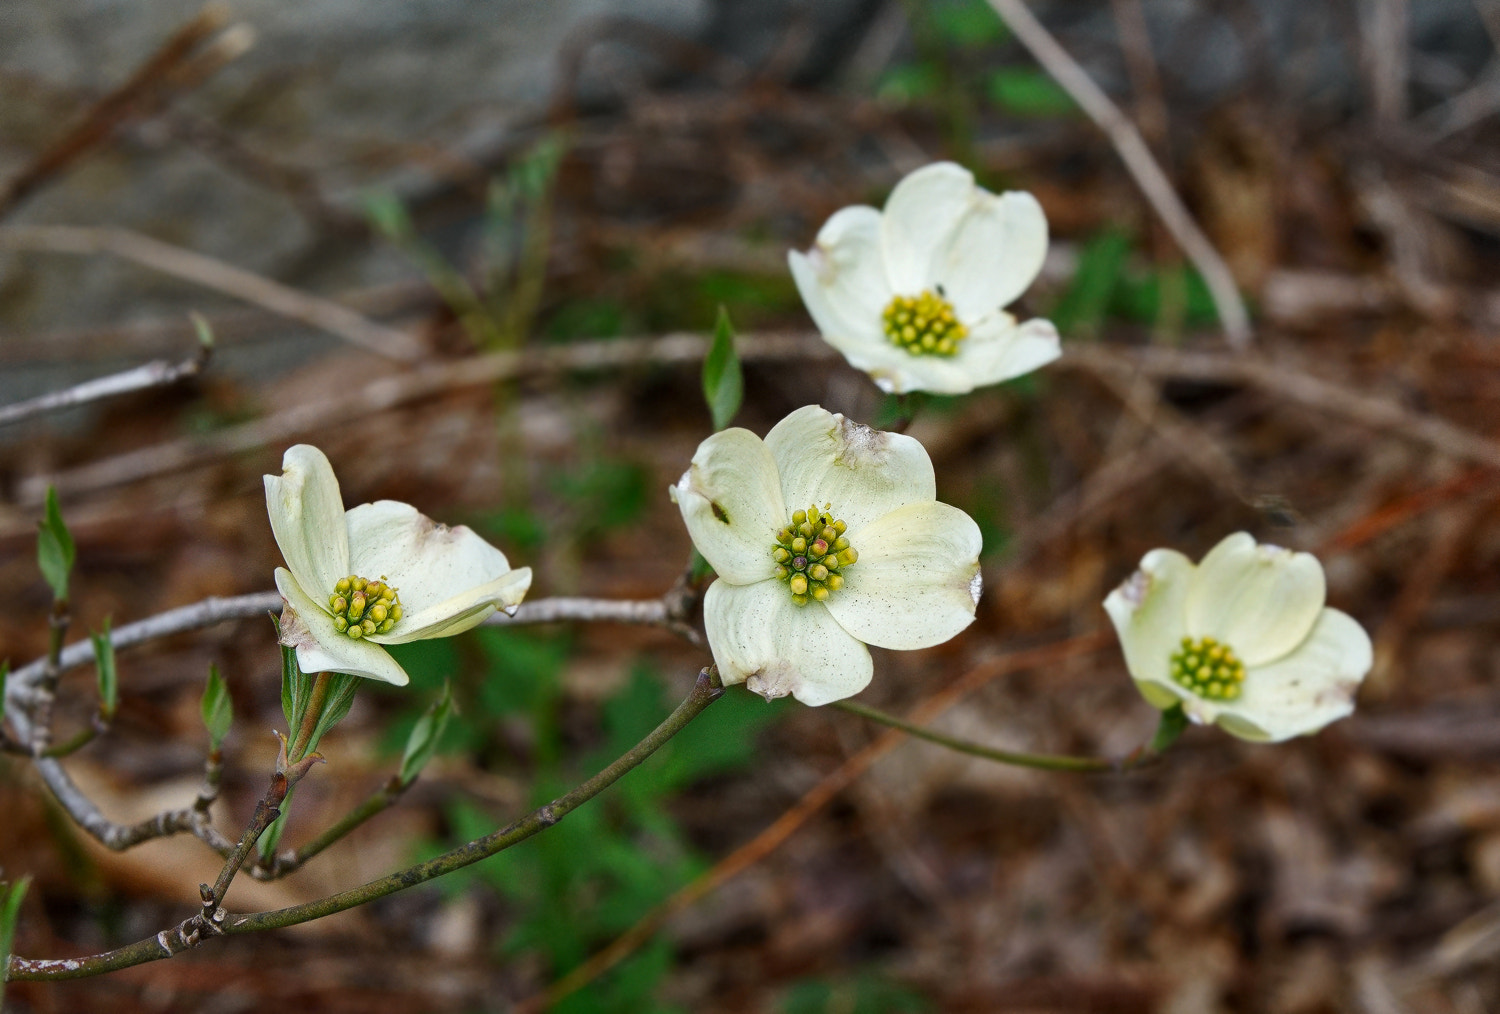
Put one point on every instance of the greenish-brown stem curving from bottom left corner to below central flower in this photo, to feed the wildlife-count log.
(193, 932)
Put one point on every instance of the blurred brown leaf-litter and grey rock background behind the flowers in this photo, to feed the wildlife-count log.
(475, 178)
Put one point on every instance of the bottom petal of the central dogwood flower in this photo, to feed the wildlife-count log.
(778, 649)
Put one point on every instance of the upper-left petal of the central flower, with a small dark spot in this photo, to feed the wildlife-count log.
(731, 502)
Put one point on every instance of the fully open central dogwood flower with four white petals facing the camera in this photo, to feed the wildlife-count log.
(827, 536)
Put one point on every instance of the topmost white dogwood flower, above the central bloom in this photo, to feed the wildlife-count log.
(916, 296)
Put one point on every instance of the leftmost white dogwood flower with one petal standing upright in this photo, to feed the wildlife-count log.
(379, 575)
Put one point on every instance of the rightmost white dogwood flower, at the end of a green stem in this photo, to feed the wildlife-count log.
(1241, 640)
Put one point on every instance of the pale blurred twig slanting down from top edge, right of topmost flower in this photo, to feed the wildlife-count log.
(1139, 161)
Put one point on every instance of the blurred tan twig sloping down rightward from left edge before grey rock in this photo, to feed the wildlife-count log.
(208, 272)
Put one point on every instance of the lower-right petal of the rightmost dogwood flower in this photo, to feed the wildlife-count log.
(1307, 689)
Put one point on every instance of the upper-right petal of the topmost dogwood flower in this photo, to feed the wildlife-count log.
(995, 254)
